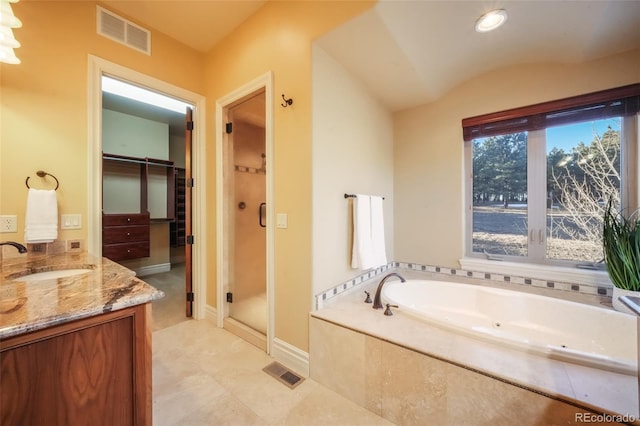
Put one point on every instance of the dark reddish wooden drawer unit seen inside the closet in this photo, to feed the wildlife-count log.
(126, 236)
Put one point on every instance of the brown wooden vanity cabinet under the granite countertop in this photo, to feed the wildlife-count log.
(93, 371)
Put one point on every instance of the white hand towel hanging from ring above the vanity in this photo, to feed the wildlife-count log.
(41, 223)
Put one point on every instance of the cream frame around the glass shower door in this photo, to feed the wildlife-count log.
(223, 254)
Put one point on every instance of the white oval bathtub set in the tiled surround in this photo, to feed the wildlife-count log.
(550, 327)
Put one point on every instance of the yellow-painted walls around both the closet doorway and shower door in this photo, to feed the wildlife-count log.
(44, 117)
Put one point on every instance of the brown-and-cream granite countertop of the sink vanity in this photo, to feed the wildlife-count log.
(27, 305)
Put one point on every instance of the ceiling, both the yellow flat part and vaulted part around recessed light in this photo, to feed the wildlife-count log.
(409, 52)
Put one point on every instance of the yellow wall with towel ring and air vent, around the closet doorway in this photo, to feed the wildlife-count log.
(43, 101)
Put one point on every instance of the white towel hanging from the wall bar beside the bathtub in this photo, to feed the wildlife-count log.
(368, 233)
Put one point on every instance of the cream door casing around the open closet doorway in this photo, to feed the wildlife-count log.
(98, 67)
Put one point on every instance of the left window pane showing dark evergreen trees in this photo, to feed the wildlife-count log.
(500, 195)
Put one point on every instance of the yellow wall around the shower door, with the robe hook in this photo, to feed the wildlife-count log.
(278, 38)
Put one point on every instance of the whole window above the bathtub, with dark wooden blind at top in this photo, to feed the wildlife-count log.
(540, 177)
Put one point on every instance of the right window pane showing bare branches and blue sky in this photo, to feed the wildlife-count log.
(583, 171)
